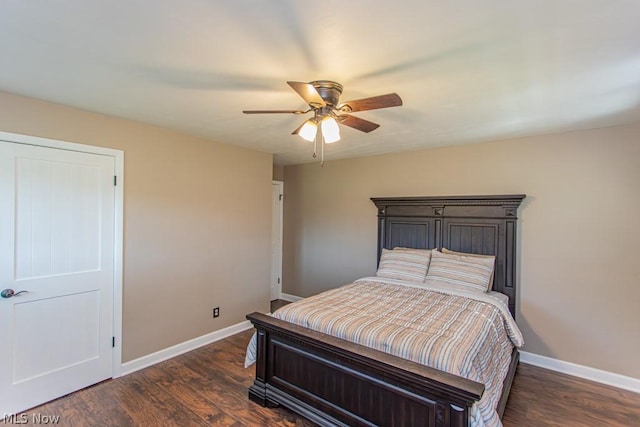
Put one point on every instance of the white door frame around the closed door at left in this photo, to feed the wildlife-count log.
(118, 215)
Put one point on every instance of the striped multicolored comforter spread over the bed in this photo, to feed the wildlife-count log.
(465, 333)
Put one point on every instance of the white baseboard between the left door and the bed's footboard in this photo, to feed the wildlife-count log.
(178, 349)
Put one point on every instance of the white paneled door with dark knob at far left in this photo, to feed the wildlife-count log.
(56, 243)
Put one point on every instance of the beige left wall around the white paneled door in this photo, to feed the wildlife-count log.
(196, 214)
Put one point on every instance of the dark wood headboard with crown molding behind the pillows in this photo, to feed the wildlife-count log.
(484, 225)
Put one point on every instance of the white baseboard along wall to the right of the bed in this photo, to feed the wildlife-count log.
(597, 375)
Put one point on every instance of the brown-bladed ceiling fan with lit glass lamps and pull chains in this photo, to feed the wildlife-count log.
(323, 99)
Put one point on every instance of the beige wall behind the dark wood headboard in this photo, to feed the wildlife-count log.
(579, 277)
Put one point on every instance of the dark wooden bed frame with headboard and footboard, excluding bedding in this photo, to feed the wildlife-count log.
(294, 364)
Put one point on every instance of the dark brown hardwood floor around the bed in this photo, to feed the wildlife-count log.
(208, 386)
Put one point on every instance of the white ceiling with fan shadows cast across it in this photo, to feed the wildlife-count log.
(467, 70)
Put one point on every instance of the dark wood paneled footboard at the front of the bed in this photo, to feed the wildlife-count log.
(335, 382)
